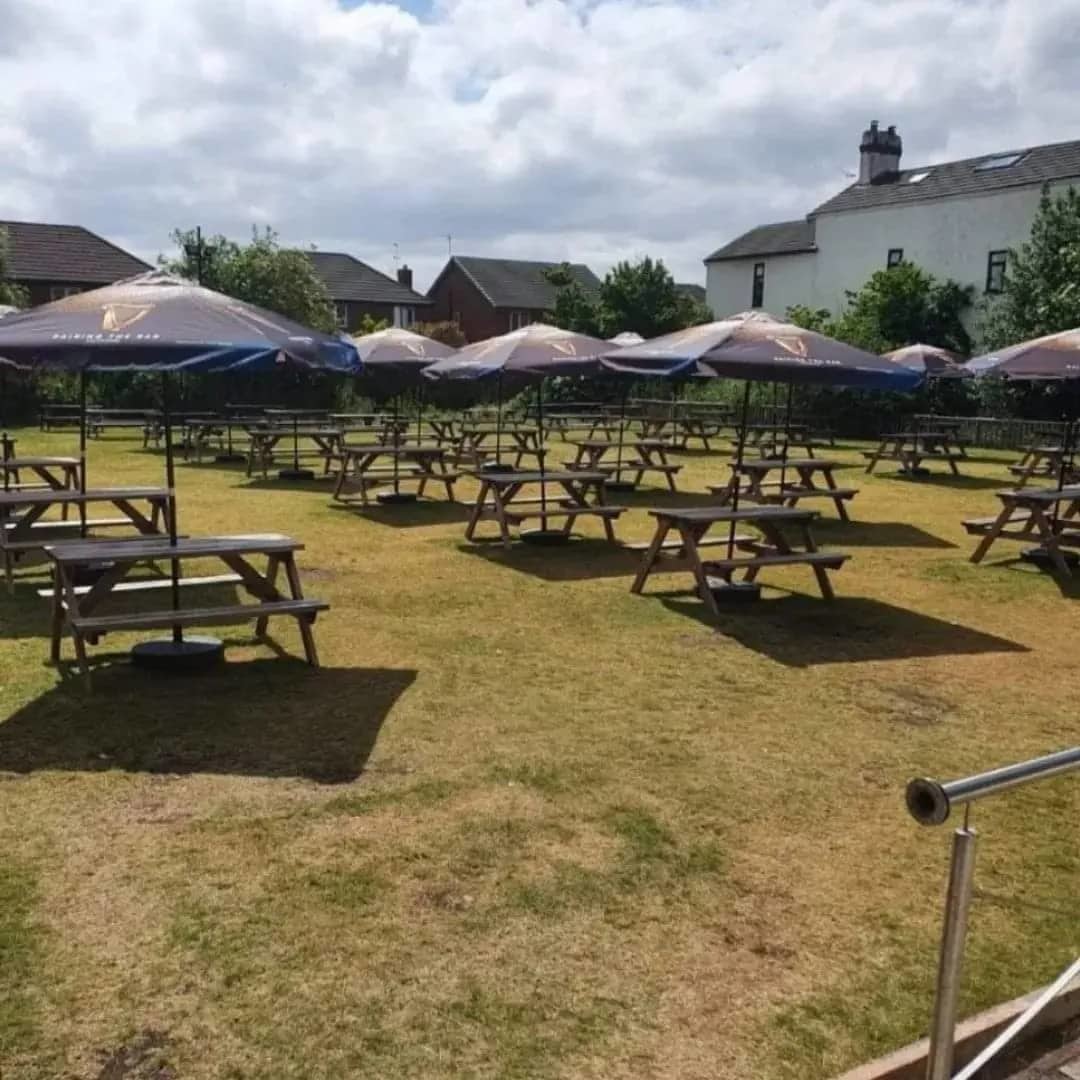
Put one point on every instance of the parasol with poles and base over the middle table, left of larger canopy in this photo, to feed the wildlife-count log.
(519, 359)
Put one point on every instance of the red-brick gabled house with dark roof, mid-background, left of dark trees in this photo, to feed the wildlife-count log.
(487, 298)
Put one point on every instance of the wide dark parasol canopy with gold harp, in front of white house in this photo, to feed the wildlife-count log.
(757, 346)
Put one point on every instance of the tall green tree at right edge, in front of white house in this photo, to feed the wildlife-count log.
(1042, 292)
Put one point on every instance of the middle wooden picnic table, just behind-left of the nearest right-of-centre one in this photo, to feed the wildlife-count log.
(578, 494)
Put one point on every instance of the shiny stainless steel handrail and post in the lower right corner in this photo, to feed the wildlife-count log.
(930, 802)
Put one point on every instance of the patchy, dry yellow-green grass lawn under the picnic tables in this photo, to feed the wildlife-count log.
(523, 825)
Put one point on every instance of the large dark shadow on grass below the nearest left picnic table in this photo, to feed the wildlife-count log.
(263, 719)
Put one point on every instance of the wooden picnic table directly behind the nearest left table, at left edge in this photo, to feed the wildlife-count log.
(24, 526)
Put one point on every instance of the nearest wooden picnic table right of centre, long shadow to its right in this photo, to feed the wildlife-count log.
(774, 548)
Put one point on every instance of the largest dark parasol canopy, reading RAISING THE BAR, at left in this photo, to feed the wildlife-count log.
(160, 322)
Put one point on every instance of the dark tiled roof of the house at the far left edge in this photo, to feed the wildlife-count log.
(65, 253)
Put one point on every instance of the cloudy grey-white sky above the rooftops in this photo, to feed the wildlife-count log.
(591, 130)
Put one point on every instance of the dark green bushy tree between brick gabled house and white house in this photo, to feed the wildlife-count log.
(640, 296)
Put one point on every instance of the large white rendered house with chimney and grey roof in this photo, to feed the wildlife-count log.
(956, 220)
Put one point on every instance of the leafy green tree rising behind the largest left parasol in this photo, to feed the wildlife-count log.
(261, 272)
